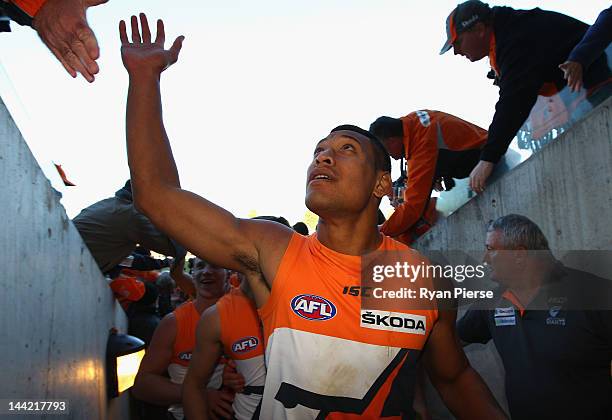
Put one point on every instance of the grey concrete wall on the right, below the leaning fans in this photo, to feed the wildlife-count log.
(566, 189)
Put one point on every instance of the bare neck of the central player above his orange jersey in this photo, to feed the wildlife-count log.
(348, 236)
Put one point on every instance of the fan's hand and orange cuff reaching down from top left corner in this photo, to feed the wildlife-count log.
(63, 27)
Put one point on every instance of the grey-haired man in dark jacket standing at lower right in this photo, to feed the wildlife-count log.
(551, 325)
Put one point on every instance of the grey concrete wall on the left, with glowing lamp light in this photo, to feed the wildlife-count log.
(57, 308)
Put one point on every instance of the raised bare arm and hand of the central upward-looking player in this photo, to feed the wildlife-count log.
(204, 228)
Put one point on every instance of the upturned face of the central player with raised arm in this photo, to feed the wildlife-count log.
(341, 177)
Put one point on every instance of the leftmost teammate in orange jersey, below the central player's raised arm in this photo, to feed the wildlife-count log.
(163, 368)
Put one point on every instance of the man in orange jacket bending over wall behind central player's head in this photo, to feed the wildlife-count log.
(437, 146)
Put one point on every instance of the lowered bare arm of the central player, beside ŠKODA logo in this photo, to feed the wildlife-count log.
(462, 389)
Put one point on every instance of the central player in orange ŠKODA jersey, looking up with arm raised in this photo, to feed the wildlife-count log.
(325, 357)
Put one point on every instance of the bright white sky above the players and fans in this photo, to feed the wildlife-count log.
(258, 83)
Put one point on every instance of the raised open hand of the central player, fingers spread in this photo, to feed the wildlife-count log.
(142, 55)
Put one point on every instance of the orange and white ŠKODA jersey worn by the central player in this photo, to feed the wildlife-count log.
(325, 357)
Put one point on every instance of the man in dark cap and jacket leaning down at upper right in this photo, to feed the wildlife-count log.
(525, 48)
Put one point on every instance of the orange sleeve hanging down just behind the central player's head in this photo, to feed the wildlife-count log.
(421, 157)
